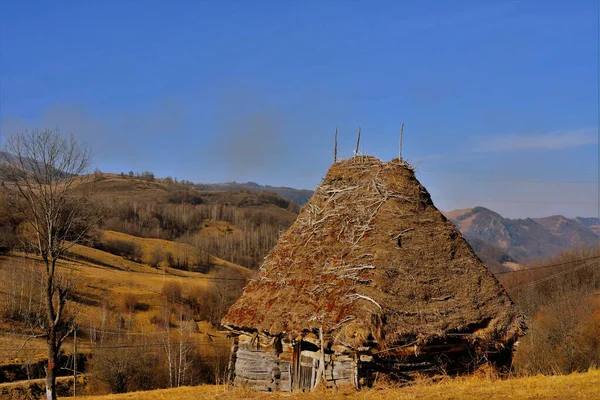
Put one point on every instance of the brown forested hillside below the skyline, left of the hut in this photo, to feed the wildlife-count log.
(141, 205)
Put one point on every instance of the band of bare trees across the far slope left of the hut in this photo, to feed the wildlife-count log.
(251, 235)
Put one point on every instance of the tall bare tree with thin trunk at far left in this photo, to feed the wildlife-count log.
(42, 171)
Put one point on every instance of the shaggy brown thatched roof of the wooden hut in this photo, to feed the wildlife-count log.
(371, 258)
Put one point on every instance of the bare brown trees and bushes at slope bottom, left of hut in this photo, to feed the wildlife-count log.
(176, 354)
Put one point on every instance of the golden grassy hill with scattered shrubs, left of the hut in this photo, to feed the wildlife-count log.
(115, 298)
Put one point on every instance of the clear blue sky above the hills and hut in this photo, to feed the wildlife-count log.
(499, 98)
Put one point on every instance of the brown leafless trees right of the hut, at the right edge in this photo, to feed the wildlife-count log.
(563, 313)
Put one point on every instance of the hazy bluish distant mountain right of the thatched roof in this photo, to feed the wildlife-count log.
(524, 239)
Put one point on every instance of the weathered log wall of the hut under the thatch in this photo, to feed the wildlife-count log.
(271, 364)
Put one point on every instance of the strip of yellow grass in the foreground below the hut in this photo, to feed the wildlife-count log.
(575, 386)
